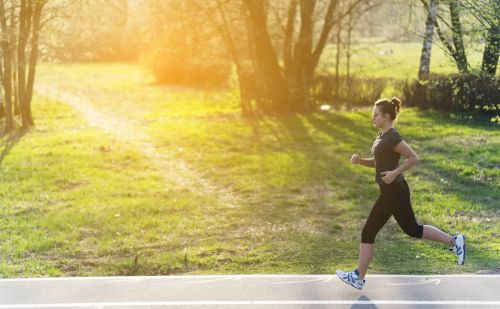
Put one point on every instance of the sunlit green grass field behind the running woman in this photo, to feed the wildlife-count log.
(274, 195)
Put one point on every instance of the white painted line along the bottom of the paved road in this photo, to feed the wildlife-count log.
(251, 302)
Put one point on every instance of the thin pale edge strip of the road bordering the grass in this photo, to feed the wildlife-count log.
(486, 276)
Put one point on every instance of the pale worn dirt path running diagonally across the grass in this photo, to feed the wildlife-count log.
(124, 130)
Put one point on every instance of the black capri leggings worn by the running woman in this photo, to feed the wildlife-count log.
(394, 200)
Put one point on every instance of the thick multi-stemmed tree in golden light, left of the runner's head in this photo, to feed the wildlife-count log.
(305, 32)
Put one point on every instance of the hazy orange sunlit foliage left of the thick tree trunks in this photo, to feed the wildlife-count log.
(186, 50)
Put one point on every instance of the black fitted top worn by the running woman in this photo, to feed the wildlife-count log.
(386, 159)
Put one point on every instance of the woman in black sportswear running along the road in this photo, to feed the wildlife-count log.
(394, 198)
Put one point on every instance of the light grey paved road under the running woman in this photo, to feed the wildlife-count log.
(263, 291)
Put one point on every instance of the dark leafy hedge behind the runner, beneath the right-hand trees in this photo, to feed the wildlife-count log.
(456, 93)
